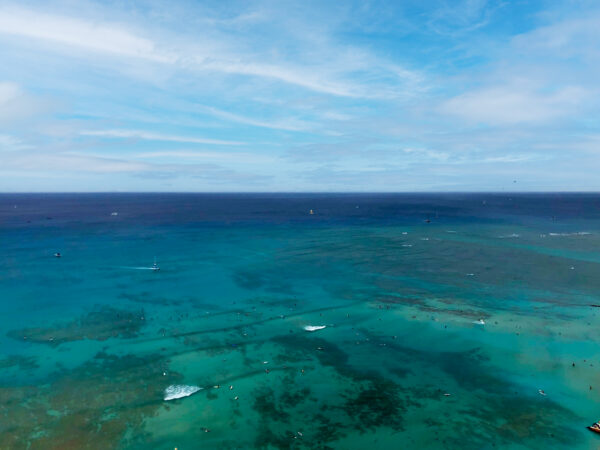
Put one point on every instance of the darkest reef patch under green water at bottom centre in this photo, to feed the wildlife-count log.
(365, 400)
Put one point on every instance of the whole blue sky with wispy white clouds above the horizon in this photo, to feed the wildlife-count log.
(303, 96)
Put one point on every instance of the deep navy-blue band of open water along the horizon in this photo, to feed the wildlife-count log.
(284, 208)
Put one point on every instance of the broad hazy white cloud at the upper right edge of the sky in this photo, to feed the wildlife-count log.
(540, 76)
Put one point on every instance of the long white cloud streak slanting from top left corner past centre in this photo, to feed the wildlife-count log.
(333, 72)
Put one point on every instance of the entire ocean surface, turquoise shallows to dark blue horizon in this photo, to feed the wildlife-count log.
(91, 341)
